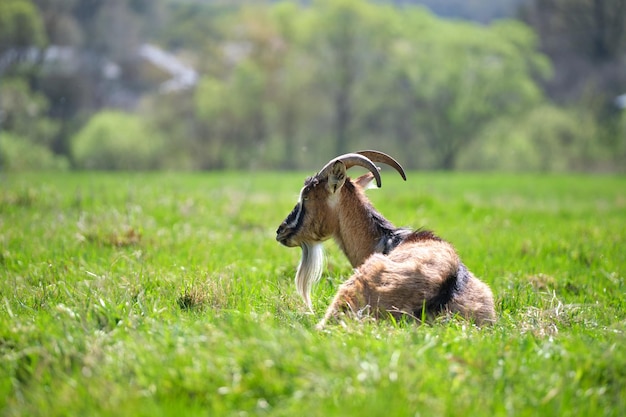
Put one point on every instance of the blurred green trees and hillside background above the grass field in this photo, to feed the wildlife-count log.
(508, 85)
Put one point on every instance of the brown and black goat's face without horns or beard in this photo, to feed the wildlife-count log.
(313, 218)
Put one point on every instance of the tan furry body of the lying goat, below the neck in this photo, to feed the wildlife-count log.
(424, 273)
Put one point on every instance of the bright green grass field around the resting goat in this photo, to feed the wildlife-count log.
(167, 295)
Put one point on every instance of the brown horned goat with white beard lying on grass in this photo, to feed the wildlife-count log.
(398, 271)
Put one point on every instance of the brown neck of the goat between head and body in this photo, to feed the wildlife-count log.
(361, 227)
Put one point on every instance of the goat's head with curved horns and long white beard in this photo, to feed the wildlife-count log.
(314, 218)
